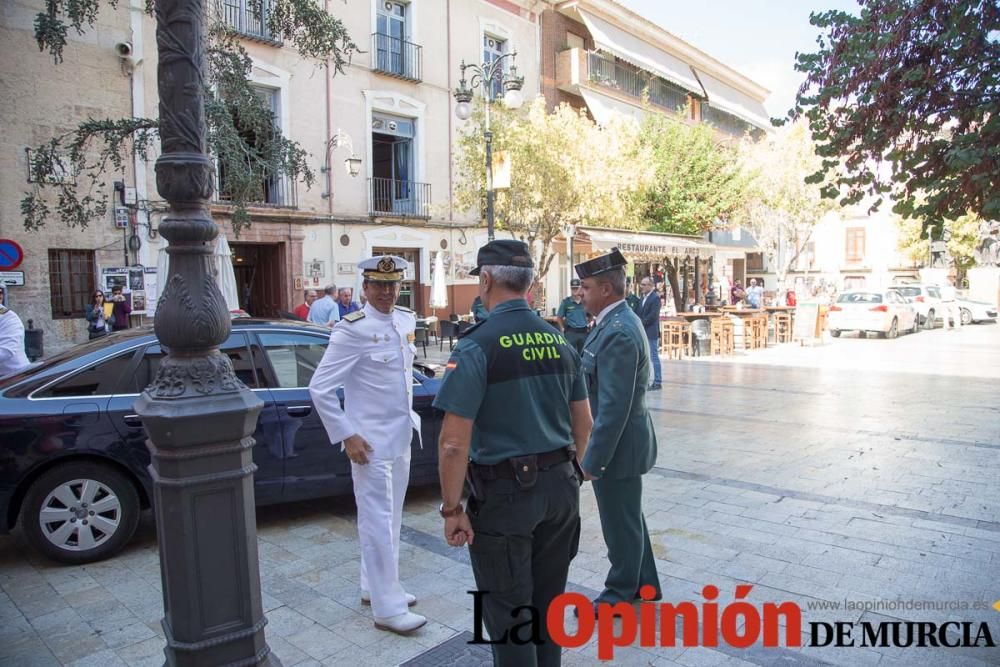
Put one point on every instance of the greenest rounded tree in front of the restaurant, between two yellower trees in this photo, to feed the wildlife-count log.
(697, 182)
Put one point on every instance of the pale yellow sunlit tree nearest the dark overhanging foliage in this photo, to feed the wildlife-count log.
(781, 209)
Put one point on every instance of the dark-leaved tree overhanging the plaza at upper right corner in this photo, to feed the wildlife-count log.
(904, 100)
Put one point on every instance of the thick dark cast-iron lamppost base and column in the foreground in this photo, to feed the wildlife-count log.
(198, 415)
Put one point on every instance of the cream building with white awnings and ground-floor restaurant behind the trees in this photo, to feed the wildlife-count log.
(599, 56)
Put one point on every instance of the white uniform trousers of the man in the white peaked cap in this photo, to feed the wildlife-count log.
(379, 490)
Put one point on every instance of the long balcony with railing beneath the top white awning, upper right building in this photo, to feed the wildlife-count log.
(576, 67)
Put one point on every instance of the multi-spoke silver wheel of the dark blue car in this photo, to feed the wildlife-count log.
(80, 512)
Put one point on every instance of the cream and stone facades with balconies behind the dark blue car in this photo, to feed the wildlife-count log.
(392, 107)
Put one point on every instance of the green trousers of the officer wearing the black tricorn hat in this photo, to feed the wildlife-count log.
(619, 502)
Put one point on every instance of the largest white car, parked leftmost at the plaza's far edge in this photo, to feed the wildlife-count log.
(886, 313)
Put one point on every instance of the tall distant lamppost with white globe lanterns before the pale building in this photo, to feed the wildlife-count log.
(485, 76)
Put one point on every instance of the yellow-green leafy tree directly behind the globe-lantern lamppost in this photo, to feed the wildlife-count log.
(565, 170)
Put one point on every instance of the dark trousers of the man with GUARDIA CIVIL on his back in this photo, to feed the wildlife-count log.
(524, 541)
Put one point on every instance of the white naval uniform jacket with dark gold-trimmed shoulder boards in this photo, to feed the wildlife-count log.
(372, 358)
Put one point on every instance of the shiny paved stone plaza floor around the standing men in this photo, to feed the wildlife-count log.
(862, 470)
